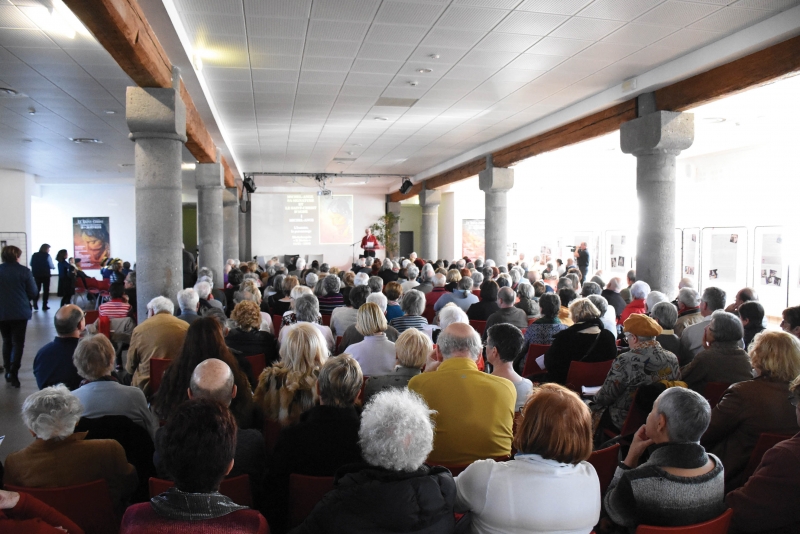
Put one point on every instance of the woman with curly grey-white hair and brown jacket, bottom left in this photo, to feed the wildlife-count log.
(58, 457)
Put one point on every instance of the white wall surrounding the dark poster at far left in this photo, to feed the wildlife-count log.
(53, 210)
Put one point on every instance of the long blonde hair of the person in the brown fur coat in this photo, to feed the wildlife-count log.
(303, 353)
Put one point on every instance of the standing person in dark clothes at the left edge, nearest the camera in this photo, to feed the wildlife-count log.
(17, 289)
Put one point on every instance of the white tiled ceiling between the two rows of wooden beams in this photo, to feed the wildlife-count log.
(295, 81)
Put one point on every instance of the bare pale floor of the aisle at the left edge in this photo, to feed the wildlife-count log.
(40, 332)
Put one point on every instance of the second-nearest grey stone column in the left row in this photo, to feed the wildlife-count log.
(210, 179)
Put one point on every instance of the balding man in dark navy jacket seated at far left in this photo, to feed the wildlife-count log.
(53, 363)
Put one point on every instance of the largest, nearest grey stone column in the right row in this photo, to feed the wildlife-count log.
(656, 138)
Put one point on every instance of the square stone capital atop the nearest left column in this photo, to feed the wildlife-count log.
(155, 113)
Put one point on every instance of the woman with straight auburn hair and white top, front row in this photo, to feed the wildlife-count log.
(548, 487)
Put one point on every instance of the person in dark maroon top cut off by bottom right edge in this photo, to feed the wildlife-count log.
(768, 501)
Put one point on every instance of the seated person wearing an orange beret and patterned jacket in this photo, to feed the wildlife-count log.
(644, 364)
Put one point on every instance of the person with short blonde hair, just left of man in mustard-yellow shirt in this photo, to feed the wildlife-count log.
(412, 350)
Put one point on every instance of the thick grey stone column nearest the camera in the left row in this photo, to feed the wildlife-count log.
(157, 121)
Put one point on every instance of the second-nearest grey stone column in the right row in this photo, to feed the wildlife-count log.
(495, 183)
